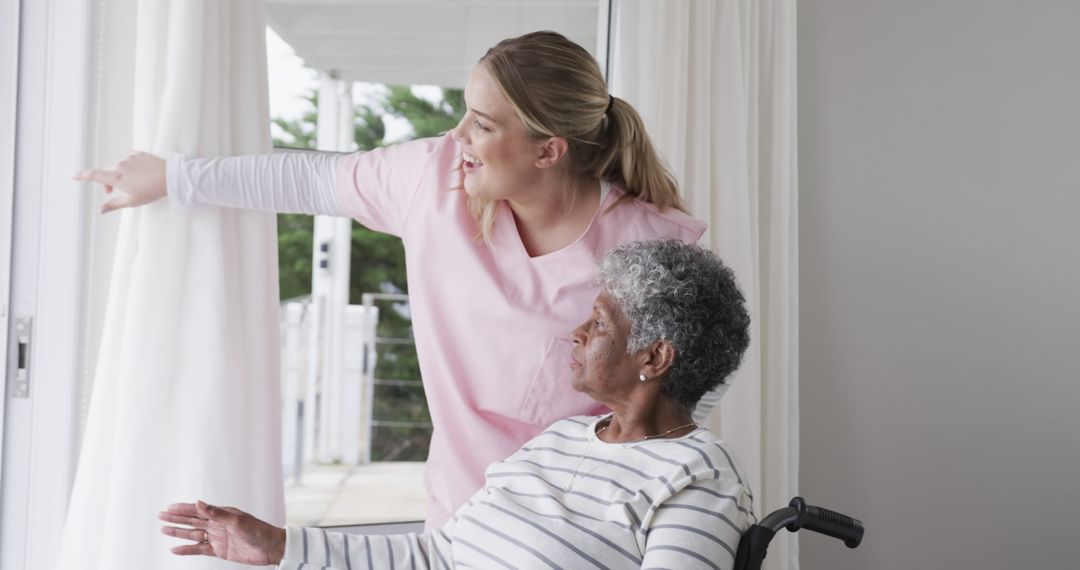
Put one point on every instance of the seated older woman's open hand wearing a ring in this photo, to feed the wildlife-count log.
(225, 533)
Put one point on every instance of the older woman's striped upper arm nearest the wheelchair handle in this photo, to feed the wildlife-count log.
(699, 527)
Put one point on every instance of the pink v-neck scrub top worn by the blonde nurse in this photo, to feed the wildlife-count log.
(492, 324)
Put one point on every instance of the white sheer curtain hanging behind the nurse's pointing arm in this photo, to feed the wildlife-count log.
(186, 400)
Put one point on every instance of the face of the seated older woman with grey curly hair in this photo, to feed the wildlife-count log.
(600, 365)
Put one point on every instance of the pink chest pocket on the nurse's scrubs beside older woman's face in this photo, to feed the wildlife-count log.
(551, 397)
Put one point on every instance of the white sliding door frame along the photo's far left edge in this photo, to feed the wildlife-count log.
(47, 219)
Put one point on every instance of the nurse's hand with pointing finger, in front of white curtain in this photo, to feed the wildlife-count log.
(141, 178)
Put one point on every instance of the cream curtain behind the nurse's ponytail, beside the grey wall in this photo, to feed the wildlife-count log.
(715, 83)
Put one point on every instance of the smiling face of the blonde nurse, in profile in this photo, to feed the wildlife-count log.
(498, 156)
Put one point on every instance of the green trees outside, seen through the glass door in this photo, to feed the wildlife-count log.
(377, 263)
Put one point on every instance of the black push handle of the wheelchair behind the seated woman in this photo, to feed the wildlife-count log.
(799, 515)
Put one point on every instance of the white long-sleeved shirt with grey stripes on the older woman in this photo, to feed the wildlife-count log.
(569, 499)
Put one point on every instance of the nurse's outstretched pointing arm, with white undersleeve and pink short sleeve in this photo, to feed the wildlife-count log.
(377, 188)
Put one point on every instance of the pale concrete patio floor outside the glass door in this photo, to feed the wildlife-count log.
(357, 495)
